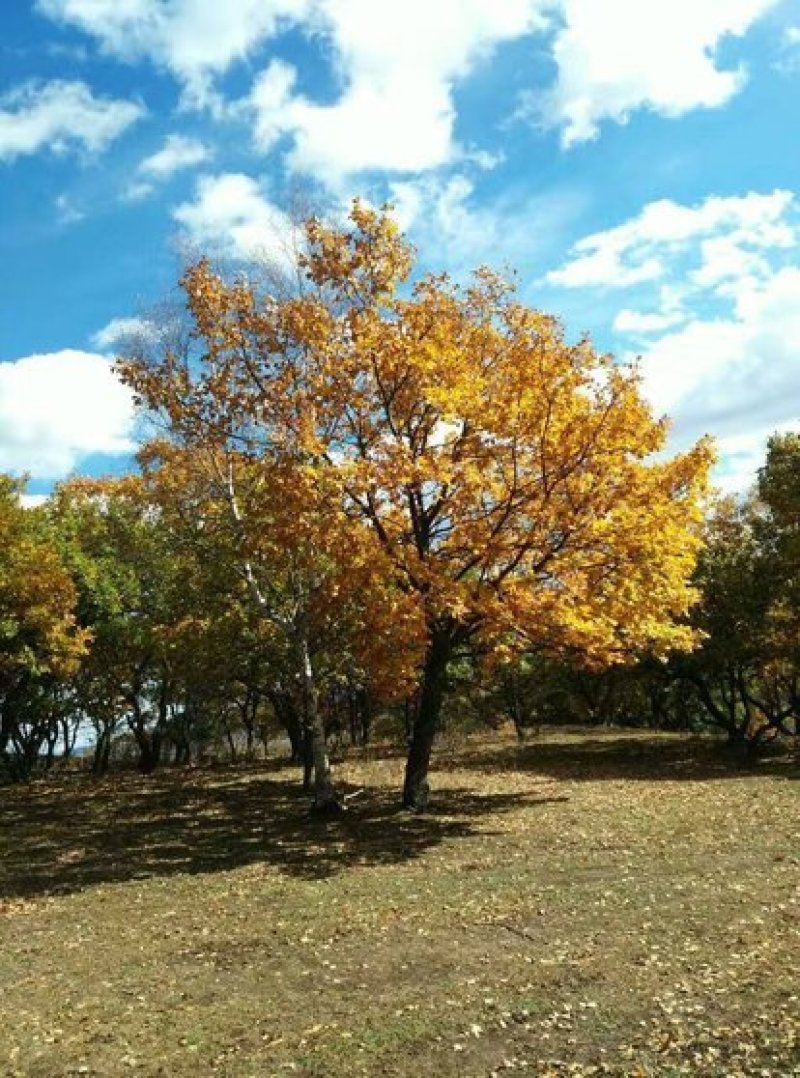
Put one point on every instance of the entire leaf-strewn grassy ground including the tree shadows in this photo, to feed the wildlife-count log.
(587, 904)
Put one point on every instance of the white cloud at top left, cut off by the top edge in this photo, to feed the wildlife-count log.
(194, 39)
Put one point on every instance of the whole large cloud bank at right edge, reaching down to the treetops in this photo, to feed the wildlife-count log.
(720, 333)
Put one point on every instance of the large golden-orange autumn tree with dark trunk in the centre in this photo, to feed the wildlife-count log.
(501, 478)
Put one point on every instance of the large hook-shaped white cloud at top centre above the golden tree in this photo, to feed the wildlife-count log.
(398, 65)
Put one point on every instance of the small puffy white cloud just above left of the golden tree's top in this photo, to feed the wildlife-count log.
(231, 215)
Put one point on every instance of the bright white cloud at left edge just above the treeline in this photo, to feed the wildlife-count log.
(60, 408)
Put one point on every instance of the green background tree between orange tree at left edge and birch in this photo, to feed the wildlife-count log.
(139, 600)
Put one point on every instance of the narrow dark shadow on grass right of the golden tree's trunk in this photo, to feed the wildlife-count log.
(619, 756)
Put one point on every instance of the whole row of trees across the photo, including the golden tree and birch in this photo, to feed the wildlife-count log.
(374, 499)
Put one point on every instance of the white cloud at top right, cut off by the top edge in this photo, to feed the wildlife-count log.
(622, 56)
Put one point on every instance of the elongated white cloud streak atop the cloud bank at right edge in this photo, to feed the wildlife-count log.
(637, 252)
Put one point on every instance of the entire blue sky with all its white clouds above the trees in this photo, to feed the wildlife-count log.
(638, 162)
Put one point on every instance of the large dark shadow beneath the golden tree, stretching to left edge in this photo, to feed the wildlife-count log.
(66, 837)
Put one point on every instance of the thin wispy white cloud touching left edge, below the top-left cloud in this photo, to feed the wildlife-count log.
(59, 117)
